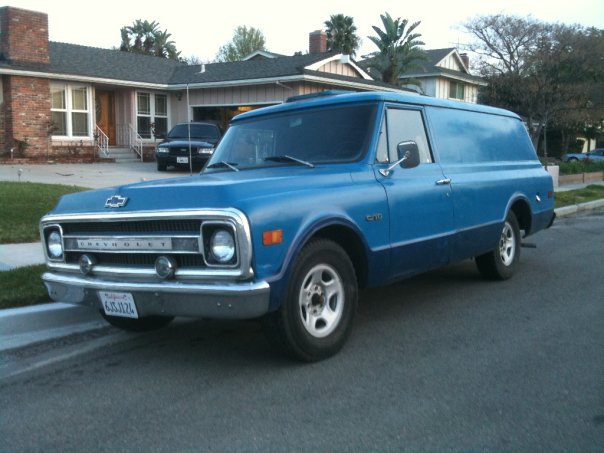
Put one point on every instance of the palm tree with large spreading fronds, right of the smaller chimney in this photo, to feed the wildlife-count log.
(399, 49)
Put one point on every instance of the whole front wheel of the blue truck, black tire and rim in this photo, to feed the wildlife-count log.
(308, 325)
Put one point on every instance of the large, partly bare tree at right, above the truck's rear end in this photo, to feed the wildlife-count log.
(545, 72)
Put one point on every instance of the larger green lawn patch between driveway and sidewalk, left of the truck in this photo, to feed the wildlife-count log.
(23, 204)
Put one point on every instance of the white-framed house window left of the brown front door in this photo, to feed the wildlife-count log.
(70, 110)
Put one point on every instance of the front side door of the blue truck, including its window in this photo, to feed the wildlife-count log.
(421, 207)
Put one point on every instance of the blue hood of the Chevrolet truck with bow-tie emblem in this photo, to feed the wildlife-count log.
(226, 189)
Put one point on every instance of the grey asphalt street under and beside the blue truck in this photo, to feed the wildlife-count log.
(444, 361)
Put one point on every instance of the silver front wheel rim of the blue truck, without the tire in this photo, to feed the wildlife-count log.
(321, 301)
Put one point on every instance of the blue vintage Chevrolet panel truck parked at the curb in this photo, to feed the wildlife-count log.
(302, 205)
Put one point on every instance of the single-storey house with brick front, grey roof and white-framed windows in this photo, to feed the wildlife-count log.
(75, 103)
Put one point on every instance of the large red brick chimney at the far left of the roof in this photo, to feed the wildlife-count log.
(23, 35)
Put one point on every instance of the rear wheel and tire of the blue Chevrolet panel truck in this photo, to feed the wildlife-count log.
(501, 263)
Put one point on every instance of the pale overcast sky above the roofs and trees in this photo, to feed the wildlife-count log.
(199, 28)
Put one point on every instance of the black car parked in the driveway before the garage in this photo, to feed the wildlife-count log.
(186, 144)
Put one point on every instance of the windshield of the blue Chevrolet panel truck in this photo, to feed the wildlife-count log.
(304, 137)
